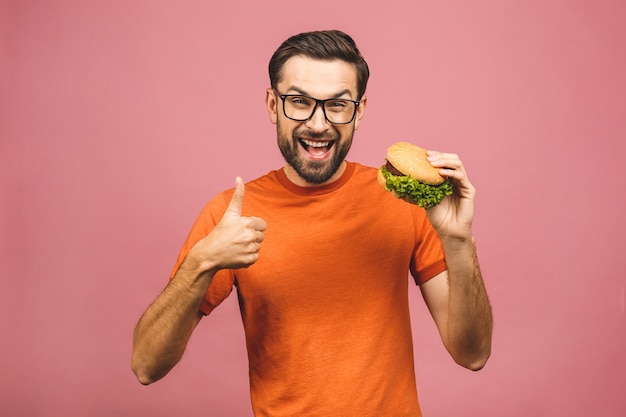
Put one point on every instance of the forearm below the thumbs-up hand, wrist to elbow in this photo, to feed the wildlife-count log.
(163, 331)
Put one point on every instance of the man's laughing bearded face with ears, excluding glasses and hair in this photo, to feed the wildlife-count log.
(314, 149)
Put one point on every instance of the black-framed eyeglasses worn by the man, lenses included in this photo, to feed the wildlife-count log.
(301, 108)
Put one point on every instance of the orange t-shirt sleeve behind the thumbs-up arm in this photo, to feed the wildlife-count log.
(223, 281)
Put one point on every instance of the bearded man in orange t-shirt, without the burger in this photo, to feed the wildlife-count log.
(319, 254)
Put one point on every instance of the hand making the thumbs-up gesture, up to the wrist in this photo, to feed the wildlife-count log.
(236, 240)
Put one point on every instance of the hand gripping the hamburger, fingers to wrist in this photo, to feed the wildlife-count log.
(452, 218)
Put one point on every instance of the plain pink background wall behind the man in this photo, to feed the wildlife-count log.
(120, 119)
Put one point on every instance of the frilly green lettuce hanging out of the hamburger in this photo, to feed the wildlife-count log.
(413, 191)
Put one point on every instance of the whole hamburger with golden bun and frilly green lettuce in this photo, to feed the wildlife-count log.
(409, 176)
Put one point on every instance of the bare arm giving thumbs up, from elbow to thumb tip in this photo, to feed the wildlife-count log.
(162, 333)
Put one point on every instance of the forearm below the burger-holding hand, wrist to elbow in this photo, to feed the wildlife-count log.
(470, 321)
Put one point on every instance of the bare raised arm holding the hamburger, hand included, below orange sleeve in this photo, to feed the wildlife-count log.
(457, 298)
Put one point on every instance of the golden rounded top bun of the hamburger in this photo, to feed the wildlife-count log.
(411, 160)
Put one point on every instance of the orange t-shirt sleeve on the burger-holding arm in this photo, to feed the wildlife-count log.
(428, 258)
